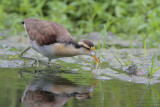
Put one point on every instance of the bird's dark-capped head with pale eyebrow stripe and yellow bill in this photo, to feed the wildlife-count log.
(88, 48)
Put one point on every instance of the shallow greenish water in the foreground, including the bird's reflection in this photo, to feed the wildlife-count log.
(53, 88)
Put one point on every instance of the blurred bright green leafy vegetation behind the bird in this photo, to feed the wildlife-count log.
(128, 19)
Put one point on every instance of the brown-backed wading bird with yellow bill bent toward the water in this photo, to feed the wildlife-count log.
(53, 41)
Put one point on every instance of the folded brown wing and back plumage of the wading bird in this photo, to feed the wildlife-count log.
(45, 32)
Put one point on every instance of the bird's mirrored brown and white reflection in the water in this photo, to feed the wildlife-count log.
(54, 91)
